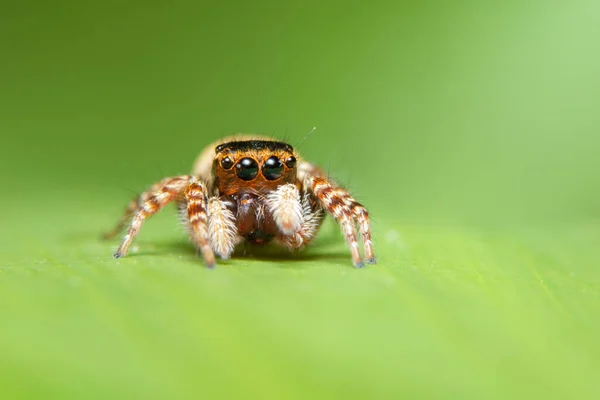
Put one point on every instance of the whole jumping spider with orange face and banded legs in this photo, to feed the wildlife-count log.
(251, 188)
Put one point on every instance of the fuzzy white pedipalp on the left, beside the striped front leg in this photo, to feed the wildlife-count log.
(221, 227)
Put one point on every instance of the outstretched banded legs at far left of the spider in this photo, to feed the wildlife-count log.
(150, 203)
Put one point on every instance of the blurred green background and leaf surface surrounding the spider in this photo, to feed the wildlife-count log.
(469, 129)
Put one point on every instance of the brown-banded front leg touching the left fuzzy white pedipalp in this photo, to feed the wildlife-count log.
(197, 214)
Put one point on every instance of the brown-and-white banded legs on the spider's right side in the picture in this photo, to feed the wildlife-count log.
(348, 213)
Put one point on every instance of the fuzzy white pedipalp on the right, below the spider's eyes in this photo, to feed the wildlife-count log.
(286, 207)
